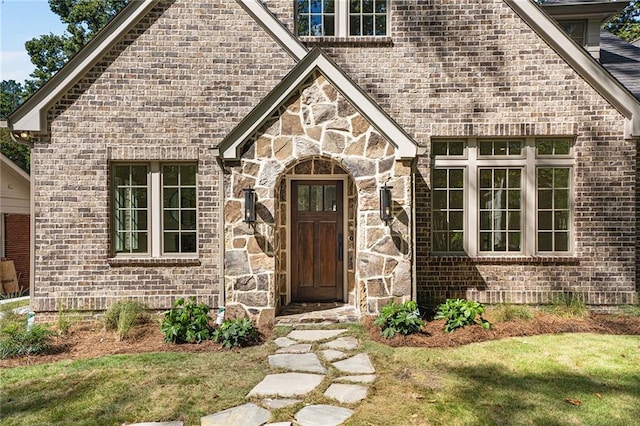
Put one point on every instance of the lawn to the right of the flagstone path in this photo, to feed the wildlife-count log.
(511, 381)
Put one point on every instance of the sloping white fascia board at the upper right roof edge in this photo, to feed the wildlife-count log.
(586, 66)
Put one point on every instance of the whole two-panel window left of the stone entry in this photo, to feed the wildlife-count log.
(154, 207)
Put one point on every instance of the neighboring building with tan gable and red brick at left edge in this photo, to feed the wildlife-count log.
(15, 218)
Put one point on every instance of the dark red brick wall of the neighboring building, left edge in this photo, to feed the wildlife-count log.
(17, 245)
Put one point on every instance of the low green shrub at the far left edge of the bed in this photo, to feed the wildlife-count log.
(17, 340)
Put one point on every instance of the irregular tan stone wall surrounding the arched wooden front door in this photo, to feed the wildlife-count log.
(317, 132)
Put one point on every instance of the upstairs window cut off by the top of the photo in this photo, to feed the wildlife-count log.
(342, 18)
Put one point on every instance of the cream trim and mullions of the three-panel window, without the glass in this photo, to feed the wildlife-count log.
(529, 162)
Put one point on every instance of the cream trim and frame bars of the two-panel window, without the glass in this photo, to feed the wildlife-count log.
(154, 213)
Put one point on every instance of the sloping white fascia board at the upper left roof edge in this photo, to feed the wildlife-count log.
(31, 116)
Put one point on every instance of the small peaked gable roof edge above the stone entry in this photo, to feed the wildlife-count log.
(316, 60)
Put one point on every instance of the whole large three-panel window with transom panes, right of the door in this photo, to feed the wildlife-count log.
(498, 196)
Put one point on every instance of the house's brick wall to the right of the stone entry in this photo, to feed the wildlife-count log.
(453, 68)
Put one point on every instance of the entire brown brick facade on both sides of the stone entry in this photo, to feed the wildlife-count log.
(190, 71)
